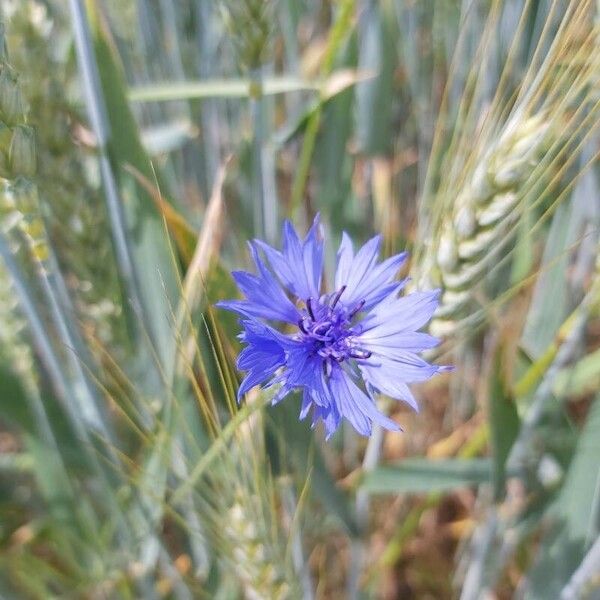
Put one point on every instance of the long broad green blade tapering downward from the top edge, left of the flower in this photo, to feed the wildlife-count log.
(139, 232)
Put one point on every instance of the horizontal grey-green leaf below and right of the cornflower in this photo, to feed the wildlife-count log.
(422, 475)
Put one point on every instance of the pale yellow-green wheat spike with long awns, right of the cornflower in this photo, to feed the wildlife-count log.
(518, 156)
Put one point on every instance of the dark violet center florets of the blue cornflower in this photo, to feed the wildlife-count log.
(328, 327)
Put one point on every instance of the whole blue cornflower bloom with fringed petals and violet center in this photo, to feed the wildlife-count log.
(338, 348)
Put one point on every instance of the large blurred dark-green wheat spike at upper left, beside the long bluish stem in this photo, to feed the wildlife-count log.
(69, 193)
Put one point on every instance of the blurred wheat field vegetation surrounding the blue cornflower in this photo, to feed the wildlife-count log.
(142, 142)
